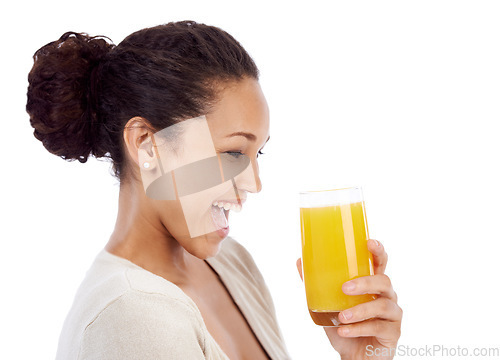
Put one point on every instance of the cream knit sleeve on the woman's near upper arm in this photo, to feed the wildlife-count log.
(140, 325)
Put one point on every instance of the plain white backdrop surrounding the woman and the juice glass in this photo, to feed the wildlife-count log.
(399, 97)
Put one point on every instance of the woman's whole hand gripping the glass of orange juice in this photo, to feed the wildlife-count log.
(372, 328)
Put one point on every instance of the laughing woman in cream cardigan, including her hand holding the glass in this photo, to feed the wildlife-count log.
(179, 111)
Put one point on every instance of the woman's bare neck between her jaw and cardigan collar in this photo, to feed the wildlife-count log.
(140, 237)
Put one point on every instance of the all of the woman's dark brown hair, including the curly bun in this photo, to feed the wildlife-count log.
(83, 90)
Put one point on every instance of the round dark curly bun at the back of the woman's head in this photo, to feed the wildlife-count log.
(62, 95)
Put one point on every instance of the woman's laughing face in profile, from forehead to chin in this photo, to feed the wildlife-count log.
(209, 165)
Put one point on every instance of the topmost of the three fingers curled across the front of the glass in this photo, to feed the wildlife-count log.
(375, 284)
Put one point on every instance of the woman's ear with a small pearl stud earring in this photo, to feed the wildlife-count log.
(137, 139)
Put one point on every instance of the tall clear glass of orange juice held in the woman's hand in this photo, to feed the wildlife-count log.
(334, 250)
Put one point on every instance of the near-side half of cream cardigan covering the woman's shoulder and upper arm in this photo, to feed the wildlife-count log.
(123, 311)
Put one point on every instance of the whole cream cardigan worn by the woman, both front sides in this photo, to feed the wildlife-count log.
(122, 311)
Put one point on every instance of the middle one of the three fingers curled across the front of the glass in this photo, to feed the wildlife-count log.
(382, 308)
